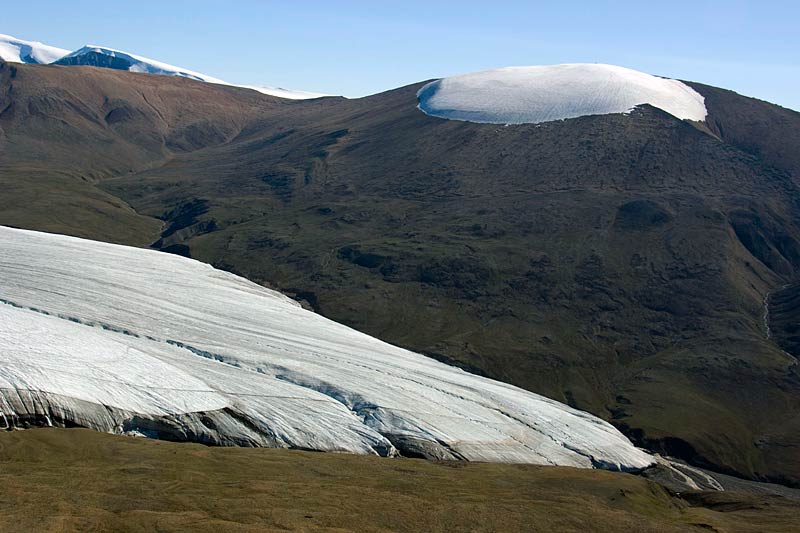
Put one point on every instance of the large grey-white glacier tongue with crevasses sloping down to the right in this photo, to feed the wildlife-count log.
(137, 341)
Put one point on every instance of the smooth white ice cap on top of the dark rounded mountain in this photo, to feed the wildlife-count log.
(518, 95)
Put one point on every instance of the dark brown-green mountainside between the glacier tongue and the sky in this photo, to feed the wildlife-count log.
(617, 263)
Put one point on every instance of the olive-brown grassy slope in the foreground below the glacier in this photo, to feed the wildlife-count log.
(57, 480)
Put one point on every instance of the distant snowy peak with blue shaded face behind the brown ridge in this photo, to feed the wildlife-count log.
(101, 56)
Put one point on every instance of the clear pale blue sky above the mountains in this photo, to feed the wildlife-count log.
(358, 47)
